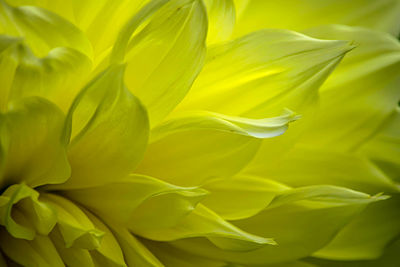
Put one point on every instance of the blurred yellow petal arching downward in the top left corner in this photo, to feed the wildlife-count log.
(41, 29)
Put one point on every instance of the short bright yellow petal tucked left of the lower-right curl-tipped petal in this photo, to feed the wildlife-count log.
(241, 196)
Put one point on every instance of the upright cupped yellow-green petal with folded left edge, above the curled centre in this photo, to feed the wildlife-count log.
(109, 131)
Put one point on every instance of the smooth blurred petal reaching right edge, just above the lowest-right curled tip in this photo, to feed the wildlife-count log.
(313, 166)
